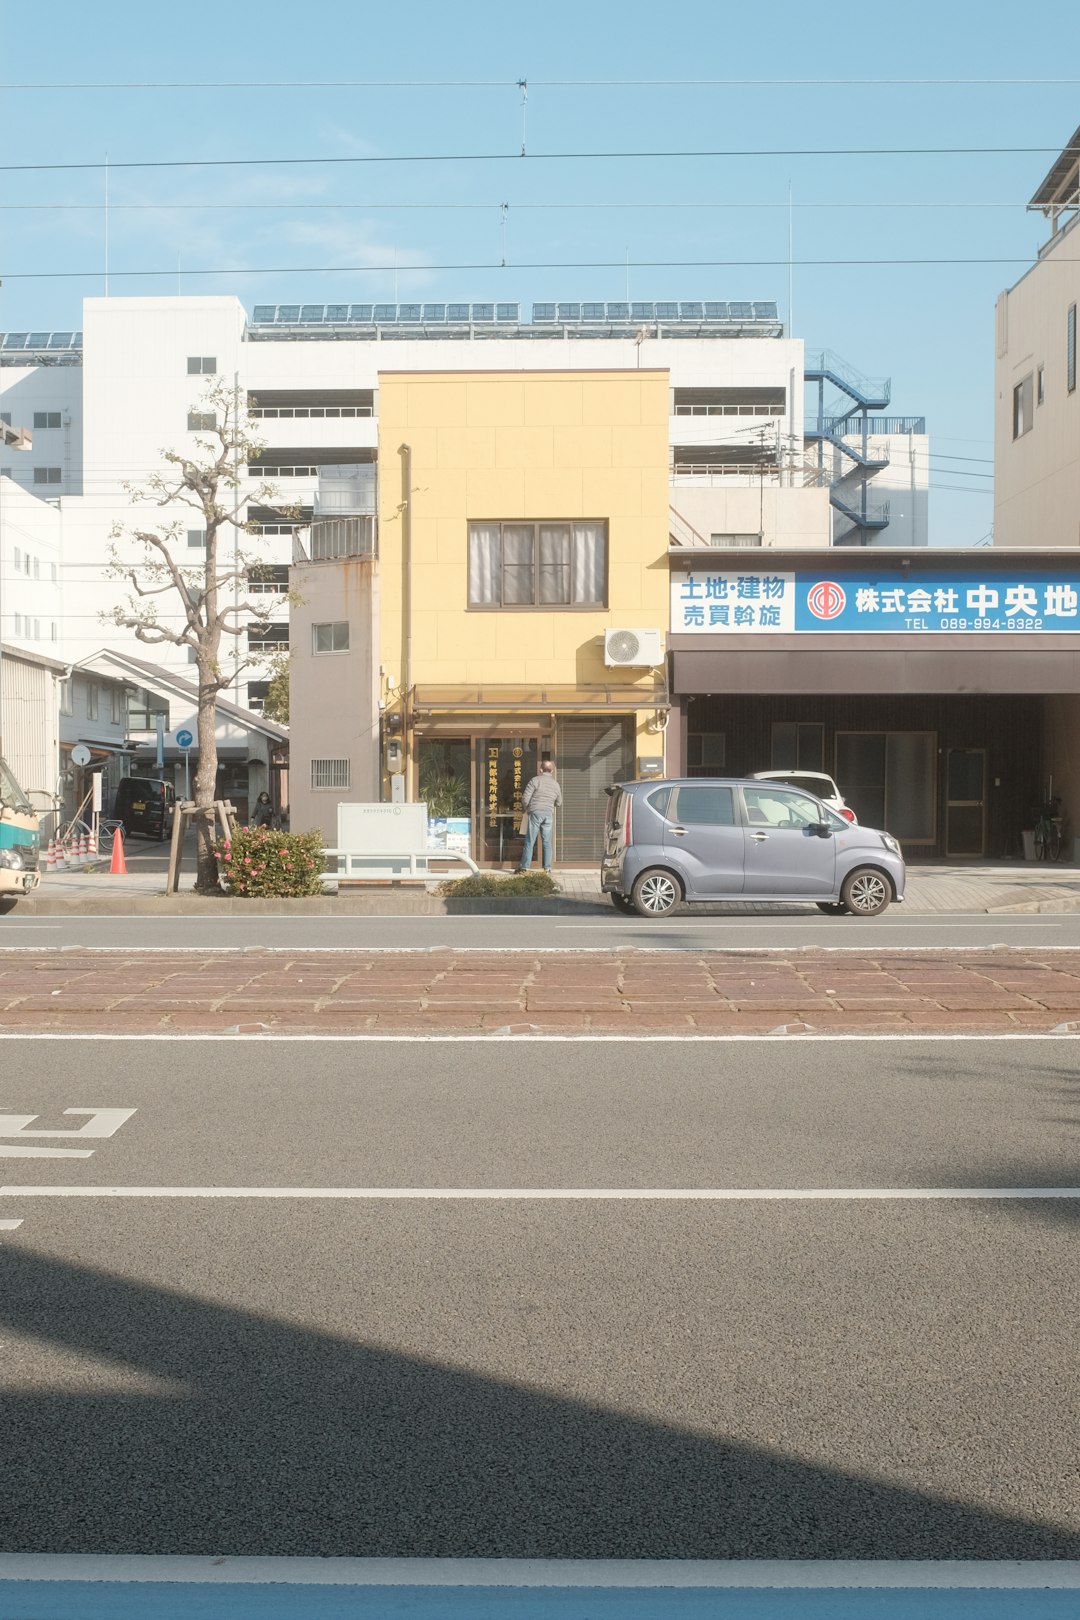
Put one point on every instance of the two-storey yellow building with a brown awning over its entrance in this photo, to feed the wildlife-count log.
(522, 518)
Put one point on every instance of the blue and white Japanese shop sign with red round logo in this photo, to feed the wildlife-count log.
(712, 603)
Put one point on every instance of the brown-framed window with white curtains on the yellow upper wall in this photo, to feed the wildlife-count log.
(538, 565)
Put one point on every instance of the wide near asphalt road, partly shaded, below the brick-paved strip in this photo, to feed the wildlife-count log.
(538, 1376)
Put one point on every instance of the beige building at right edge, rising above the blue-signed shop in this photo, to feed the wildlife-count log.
(1037, 409)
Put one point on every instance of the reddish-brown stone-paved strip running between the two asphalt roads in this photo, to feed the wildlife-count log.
(605, 992)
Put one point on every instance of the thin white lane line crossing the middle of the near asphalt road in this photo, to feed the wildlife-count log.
(561, 1195)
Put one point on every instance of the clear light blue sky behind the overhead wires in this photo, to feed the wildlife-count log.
(334, 231)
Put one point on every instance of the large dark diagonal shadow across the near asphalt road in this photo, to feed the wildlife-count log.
(292, 1441)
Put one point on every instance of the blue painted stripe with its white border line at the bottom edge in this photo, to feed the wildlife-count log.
(192, 1588)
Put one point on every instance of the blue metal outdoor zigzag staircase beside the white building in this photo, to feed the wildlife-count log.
(848, 422)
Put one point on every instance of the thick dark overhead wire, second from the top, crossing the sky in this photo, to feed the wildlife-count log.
(558, 158)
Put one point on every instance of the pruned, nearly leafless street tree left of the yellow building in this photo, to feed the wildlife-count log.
(205, 605)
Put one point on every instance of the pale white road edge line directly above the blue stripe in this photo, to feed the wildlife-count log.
(820, 1574)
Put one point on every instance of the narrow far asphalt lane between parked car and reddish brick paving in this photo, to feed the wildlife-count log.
(684, 932)
